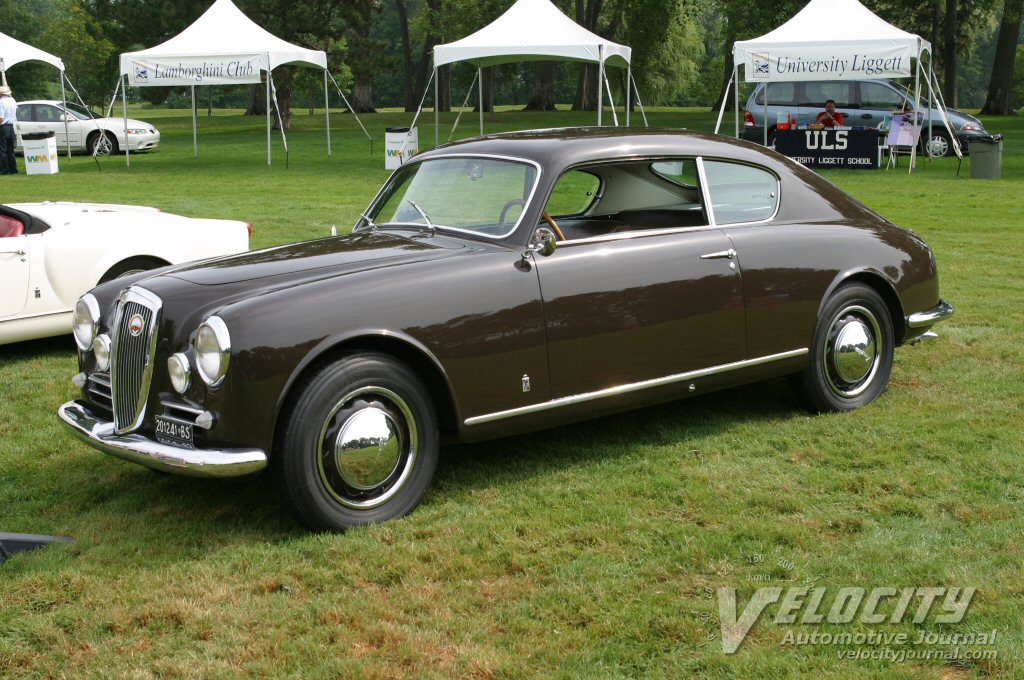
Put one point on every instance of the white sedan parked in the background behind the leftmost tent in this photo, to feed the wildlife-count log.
(86, 131)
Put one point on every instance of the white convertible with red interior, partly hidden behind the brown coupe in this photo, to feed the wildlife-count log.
(52, 253)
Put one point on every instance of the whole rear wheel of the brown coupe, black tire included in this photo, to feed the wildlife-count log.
(852, 355)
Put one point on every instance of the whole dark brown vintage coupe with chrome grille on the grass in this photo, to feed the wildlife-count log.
(502, 285)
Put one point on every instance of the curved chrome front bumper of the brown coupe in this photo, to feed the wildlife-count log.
(193, 462)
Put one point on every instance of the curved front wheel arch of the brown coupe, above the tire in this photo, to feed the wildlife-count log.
(417, 358)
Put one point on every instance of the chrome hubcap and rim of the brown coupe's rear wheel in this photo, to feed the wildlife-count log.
(852, 352)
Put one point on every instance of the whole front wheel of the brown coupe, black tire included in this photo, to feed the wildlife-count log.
(369, 400)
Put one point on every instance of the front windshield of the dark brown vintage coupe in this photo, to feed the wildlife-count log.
(485, 196)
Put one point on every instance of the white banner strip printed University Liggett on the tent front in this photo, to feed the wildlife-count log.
(791, 64)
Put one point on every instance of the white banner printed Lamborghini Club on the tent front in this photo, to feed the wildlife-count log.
(197, 71)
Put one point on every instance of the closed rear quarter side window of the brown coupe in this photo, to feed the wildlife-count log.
(741, 193)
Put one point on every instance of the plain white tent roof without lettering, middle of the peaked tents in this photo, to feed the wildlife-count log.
(532, 31)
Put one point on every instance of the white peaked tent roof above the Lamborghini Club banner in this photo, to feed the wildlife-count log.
(224, 30)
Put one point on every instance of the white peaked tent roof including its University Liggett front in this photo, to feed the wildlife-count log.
(831, 40)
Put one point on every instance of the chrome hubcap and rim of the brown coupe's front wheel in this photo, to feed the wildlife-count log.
(368, 448)
